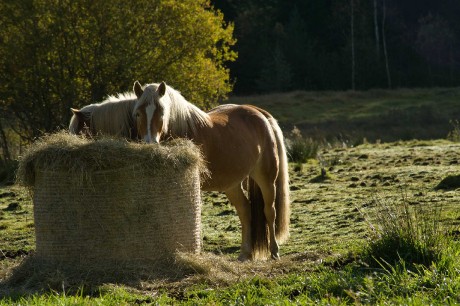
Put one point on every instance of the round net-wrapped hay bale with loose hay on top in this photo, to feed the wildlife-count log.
(110, 200)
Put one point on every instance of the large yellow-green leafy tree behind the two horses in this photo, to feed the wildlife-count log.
(60, 54)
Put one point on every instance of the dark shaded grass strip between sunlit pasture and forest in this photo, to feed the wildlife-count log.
(387, 115)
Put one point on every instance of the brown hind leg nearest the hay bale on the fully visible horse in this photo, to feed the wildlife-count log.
(241, 203)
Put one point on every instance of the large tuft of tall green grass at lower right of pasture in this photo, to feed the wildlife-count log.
(403, 232)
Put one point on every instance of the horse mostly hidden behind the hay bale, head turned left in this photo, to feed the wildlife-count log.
(112, 117)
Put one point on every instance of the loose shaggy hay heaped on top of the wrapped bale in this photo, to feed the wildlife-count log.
(81, 156)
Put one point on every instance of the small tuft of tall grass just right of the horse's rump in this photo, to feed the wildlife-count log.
(299, 148)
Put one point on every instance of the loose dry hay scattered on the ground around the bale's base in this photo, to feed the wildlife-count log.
(184, 271)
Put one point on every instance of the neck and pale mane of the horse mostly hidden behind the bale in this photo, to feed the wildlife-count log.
(113, 115)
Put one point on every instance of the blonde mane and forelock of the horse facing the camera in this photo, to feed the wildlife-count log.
(180, 117)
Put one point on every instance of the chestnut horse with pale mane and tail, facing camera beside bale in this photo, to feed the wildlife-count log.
(237, 141)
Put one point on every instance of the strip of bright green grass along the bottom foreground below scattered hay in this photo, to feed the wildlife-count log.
(351, 284)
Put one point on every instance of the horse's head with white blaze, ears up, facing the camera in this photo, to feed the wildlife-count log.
(149, 112)
